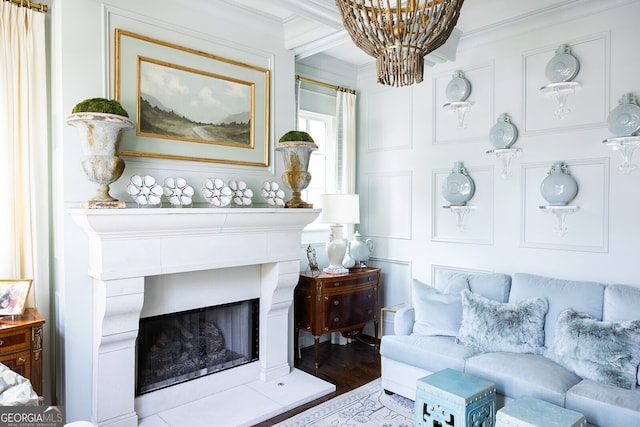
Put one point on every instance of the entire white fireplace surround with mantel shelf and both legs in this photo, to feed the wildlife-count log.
(127, 245)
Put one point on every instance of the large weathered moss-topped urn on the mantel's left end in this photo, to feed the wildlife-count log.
(101, 123)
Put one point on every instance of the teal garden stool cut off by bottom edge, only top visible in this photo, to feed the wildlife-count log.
(531, 412)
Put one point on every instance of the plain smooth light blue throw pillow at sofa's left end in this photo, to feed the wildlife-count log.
(435, 313)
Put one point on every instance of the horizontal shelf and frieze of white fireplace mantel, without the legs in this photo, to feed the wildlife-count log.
(144, 242)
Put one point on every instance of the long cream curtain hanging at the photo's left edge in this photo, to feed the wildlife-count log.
(24, 242)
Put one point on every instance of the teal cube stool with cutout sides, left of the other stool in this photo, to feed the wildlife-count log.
(452, 398)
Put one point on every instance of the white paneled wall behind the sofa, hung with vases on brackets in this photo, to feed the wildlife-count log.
(406, 133)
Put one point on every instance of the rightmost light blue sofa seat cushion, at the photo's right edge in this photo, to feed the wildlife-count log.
(605, 405)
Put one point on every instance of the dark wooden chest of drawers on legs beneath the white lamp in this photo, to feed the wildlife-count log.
(325, 303)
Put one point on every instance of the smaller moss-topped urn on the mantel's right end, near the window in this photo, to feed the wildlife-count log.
(296, 147)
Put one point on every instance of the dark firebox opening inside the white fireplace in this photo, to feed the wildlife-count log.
(177, 347)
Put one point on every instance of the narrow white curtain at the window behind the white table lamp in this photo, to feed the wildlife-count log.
(346, 142)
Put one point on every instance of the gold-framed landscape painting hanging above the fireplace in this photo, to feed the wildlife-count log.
(189, 104)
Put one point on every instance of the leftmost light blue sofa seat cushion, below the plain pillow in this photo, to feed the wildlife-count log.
(429, 353)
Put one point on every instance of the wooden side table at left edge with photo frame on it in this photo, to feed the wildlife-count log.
(21, 345)
